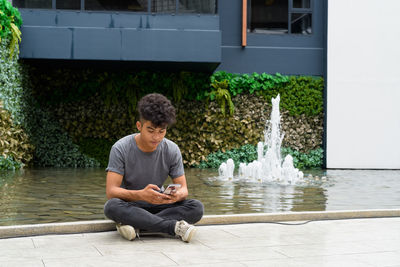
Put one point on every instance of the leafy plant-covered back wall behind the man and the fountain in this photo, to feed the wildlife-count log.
(96, 108)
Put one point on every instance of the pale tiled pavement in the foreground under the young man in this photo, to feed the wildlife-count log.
(351, 242)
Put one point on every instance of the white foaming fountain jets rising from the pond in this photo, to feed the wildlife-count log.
(269, 166)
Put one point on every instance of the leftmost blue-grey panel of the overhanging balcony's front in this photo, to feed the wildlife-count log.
(46, 42)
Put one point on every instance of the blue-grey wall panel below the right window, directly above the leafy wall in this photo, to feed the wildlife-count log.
(289, 61)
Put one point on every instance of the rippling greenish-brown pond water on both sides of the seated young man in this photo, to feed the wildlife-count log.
(61, 195)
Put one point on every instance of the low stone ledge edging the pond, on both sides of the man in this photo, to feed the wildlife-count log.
(108, 225)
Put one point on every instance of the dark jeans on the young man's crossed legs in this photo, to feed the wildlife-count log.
(154, 218)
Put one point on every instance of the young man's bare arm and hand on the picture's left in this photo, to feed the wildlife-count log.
(148, 194)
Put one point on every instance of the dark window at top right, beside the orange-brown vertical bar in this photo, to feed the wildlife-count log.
(280, 16)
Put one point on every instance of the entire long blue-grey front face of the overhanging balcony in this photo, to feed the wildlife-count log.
(91, 43)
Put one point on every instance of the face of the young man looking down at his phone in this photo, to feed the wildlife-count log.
(150, 135)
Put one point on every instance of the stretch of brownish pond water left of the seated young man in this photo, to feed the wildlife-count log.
(51, 195)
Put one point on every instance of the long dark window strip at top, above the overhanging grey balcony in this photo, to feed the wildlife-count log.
(154, 6)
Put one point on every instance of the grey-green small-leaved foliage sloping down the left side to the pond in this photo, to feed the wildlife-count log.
(53, 147)
